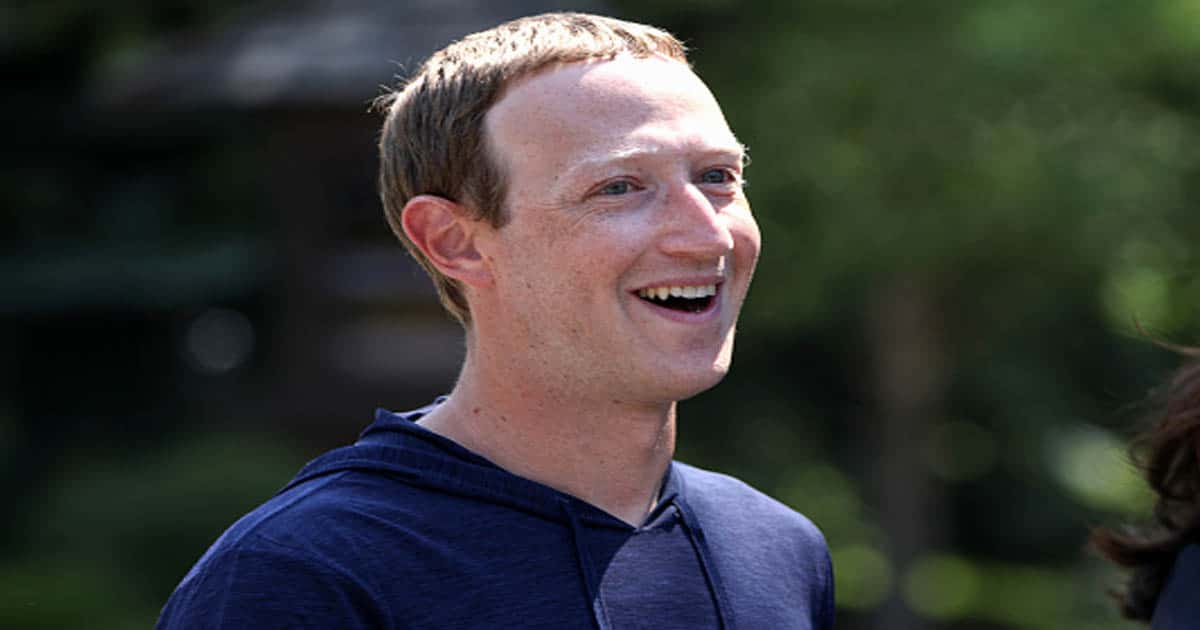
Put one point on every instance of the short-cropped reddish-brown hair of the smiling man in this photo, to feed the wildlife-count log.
(434, 140)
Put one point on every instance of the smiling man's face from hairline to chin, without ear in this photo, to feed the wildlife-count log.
(625, 187)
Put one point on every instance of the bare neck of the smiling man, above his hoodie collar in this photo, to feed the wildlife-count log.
(611, 454)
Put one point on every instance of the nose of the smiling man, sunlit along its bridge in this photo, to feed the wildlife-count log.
(694, 227)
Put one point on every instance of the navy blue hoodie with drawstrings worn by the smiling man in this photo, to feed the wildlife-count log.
(406, 530)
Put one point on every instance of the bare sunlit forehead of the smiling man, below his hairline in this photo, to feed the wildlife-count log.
(607, 110)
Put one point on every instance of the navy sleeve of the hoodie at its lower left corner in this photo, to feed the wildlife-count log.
(268, 586)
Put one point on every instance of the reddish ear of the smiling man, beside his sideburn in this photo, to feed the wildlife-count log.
(446, 235)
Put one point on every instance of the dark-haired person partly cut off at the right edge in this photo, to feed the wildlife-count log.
(1165, 559)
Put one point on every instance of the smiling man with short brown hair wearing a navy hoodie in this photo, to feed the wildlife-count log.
(575, 193)
